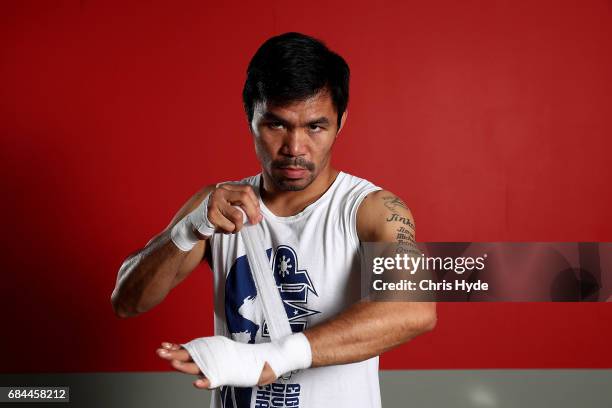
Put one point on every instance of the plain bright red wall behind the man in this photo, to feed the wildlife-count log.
(492, 119)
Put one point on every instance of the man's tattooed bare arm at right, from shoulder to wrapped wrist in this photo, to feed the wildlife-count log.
(366, 328)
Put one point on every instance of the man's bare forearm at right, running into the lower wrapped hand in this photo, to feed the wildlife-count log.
(367, 329)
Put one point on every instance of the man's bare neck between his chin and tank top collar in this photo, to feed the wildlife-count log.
(286, 203)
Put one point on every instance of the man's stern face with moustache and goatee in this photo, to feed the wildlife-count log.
(293, 142)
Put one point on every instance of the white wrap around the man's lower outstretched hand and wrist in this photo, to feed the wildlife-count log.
(228, 362)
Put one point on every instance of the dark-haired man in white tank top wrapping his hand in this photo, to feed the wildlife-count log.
(313, 218)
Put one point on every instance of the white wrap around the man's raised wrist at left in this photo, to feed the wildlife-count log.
(183, 235)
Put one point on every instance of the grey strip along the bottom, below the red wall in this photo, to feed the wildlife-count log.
(419, 388)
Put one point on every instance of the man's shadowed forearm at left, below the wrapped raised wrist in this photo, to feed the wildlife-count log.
(146, 277)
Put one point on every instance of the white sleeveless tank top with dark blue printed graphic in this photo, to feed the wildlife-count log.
(316, 262)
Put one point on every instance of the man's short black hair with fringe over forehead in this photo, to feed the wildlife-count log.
(294, 67)
